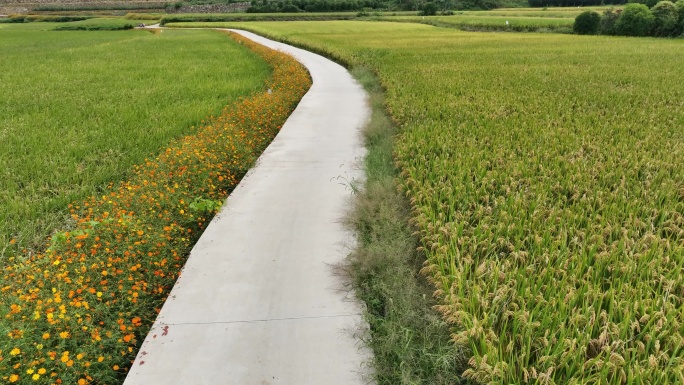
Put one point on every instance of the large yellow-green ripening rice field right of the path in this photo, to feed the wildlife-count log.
(546, 176)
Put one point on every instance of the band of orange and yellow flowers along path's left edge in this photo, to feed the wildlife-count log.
(77, 313)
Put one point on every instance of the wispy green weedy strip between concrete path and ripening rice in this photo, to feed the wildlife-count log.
(410, 340)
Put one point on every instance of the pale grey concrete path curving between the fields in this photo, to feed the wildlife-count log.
(258, 302)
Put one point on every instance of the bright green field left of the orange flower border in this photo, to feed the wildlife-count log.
(78, 109)
